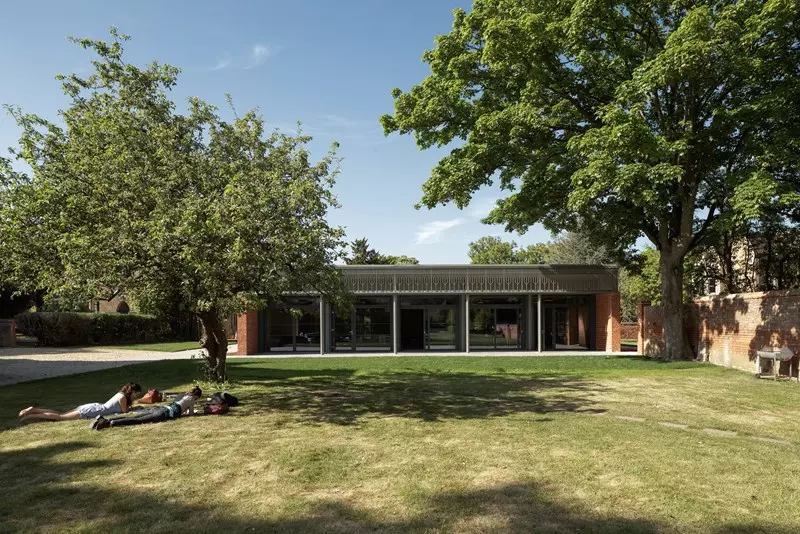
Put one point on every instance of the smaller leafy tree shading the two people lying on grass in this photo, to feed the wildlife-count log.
(126, 192)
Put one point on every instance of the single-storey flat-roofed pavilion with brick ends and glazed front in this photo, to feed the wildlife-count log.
(448, 308)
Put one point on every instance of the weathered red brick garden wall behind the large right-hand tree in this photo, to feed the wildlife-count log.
(728, 330)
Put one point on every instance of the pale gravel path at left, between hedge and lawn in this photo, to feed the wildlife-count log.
(24, 364)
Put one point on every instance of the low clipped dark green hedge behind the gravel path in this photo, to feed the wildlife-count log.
(64, 329)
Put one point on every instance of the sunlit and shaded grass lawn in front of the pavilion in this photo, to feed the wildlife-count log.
(421, 444)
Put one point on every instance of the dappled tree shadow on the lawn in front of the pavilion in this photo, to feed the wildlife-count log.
(428, 396)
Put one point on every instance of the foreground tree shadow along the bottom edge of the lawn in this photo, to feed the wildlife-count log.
(49, 494)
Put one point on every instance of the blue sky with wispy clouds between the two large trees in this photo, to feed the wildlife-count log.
(330, 65)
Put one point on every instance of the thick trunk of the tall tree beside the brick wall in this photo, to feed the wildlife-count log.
(676, 341)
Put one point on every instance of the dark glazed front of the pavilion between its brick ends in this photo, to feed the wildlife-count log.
(430, 323)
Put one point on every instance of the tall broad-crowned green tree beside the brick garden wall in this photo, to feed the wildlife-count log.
(631, 118)
